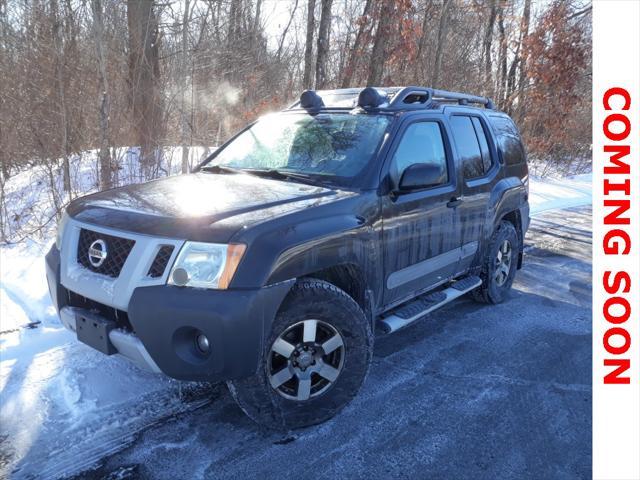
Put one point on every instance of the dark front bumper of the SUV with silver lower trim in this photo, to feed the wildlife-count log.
(165, 320)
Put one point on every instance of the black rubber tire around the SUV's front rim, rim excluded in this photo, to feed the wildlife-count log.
(309, 299)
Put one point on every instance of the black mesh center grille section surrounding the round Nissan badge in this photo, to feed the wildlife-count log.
(116, 251)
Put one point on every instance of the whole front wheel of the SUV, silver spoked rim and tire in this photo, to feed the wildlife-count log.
(314, 362)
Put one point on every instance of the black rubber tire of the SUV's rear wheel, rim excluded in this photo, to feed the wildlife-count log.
(494, 290)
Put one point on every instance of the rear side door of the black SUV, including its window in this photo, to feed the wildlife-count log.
(479, 170)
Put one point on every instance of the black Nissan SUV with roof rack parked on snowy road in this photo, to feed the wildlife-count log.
(271, 265)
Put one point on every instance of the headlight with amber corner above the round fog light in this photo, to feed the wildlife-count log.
(206, 265)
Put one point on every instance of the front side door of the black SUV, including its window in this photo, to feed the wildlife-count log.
(421, 231)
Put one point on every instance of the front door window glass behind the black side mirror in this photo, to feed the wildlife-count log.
(421, 143)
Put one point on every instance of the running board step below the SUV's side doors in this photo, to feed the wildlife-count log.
(419, 307)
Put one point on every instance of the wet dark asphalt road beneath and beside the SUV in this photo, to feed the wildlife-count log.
(472, 392)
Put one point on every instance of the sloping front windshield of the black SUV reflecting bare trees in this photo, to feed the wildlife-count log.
(327, 144)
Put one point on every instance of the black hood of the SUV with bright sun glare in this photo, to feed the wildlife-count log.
(188, 206)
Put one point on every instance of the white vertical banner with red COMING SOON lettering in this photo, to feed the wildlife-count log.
(616, 242)
